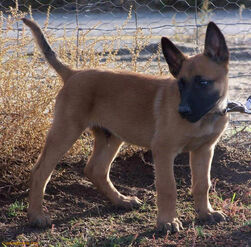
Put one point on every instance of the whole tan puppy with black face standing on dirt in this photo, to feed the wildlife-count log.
(167, 115)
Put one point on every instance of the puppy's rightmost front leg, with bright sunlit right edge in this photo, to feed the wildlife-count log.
(200, 162)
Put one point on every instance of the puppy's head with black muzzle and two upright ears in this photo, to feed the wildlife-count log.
(202, 79)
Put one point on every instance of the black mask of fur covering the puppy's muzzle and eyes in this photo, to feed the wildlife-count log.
(197, 98)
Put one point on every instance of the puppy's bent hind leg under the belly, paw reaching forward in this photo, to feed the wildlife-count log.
(106, 147)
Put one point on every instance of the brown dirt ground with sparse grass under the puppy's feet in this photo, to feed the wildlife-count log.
(83, 217)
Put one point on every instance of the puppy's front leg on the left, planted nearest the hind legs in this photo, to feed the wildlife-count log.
(166, 189)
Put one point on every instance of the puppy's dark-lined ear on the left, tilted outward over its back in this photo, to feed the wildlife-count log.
(174, 57)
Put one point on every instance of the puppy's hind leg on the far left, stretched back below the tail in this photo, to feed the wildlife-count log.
(63, 133)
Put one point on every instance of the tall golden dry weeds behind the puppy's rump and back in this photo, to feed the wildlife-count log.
(28, 87)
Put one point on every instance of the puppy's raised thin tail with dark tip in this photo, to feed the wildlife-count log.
(63, 70)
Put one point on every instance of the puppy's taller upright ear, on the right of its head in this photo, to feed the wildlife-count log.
(215, 44)
